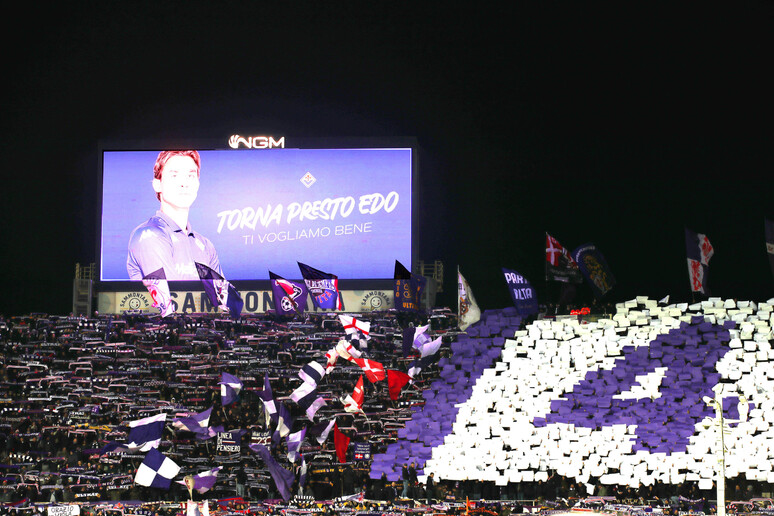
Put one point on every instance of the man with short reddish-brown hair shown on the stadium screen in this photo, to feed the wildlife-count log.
(166, 241)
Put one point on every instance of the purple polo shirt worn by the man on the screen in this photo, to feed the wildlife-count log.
(160, 243)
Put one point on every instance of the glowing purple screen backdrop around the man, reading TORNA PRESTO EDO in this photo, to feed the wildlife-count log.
(346, 211)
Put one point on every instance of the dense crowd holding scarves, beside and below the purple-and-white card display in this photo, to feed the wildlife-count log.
(70, 385)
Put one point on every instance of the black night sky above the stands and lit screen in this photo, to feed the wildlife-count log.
(612, 123)
